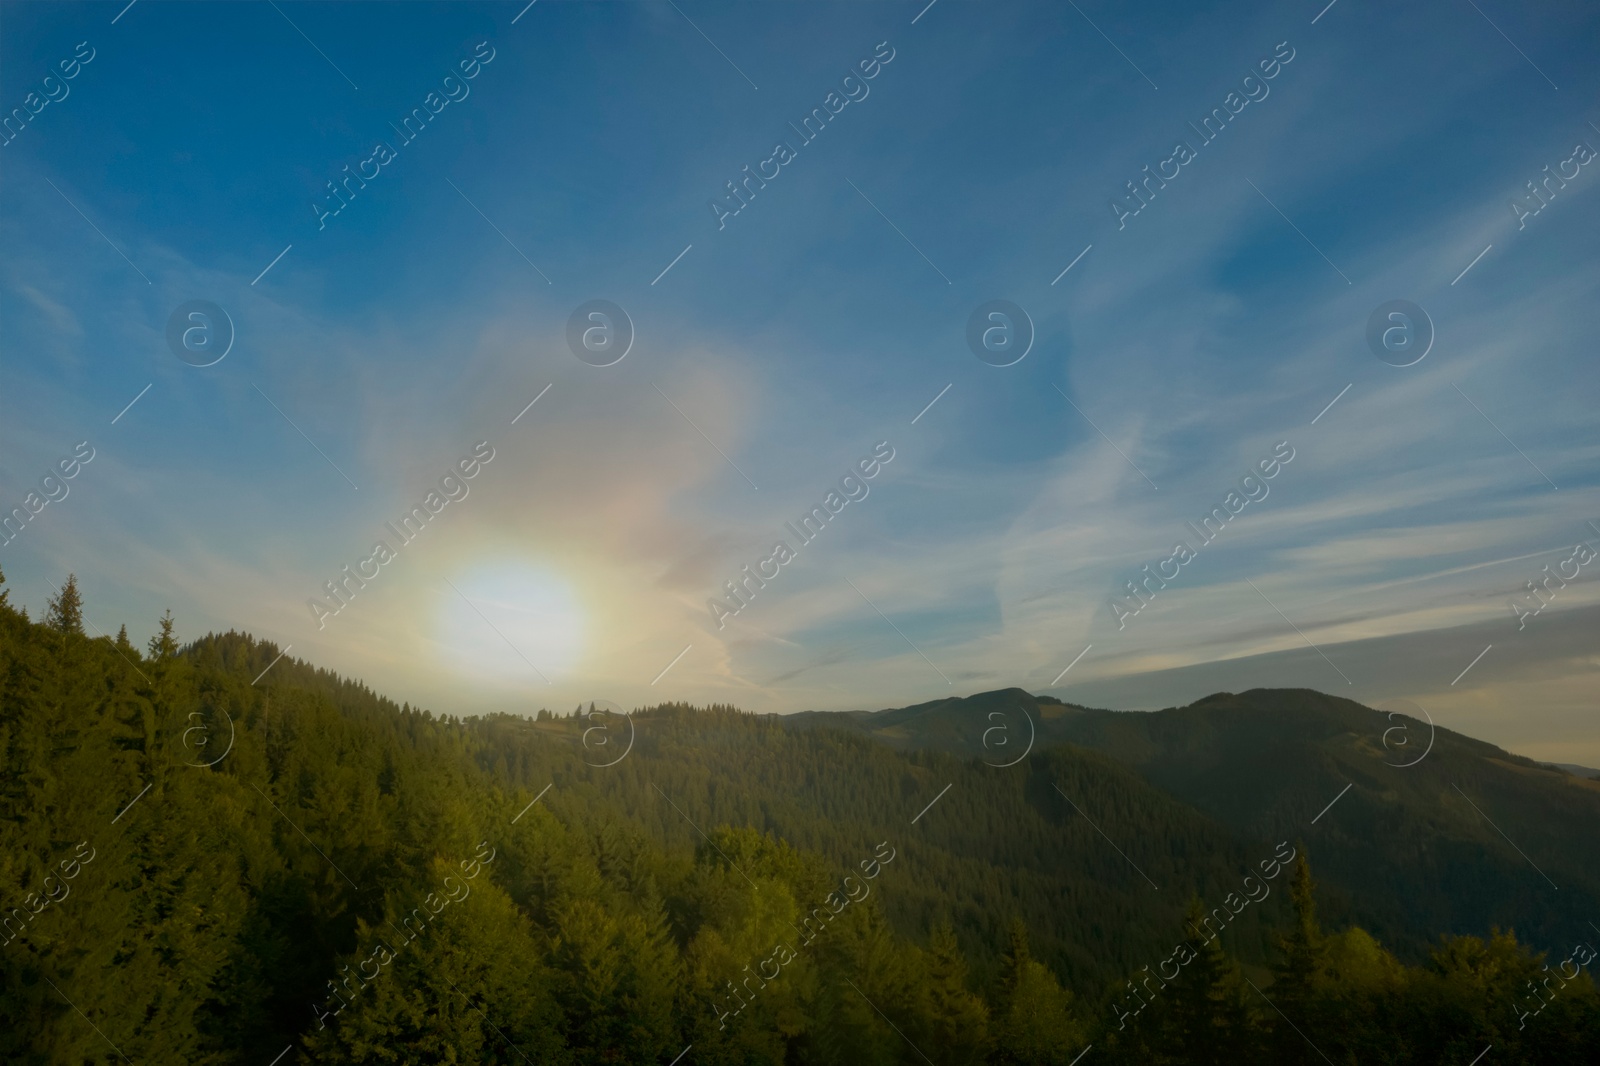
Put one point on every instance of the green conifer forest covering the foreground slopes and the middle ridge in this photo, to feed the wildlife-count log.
(215, 856)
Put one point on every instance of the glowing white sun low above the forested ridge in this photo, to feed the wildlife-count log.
(511, 622)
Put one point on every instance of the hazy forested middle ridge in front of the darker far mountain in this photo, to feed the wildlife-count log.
(978, 844)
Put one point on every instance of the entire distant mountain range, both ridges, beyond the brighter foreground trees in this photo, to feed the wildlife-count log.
(1111, 820)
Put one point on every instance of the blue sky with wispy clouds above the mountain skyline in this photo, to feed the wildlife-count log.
(430, 318)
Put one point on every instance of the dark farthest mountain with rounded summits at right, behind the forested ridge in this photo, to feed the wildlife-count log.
(1463, 840)
